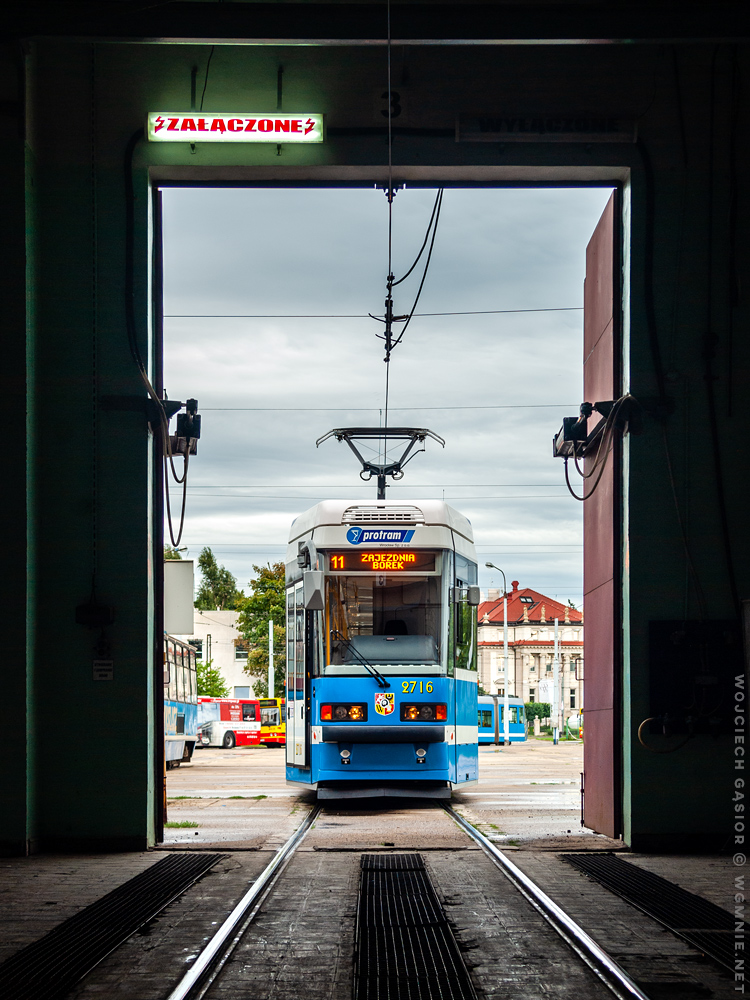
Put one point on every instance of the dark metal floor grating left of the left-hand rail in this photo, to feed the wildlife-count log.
(48, 968)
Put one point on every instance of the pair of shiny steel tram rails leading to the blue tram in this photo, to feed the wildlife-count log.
(208, 966)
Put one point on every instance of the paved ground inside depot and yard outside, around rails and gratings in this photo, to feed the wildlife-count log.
(301, 943)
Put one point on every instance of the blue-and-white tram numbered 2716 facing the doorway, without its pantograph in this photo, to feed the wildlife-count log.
(381, 650)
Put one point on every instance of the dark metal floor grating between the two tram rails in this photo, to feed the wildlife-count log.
(405, 948)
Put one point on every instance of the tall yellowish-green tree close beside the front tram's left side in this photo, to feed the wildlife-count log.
(265, 603)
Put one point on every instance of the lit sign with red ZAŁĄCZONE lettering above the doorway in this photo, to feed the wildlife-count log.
(169, 126)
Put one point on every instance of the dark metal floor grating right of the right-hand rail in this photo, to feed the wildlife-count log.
(698, 921)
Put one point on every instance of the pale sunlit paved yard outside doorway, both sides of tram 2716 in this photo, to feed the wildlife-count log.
(528, 795)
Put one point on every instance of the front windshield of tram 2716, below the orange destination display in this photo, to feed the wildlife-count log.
(387, 618)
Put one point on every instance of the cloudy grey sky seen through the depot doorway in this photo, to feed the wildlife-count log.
(496, 387)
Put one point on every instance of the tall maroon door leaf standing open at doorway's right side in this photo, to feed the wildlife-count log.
(601, 530)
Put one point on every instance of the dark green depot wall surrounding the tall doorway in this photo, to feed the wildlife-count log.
(85, 779)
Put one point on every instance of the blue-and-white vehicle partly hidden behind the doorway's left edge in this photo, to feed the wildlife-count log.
(180, 701)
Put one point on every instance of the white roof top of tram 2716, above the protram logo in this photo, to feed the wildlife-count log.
(332, 513)
